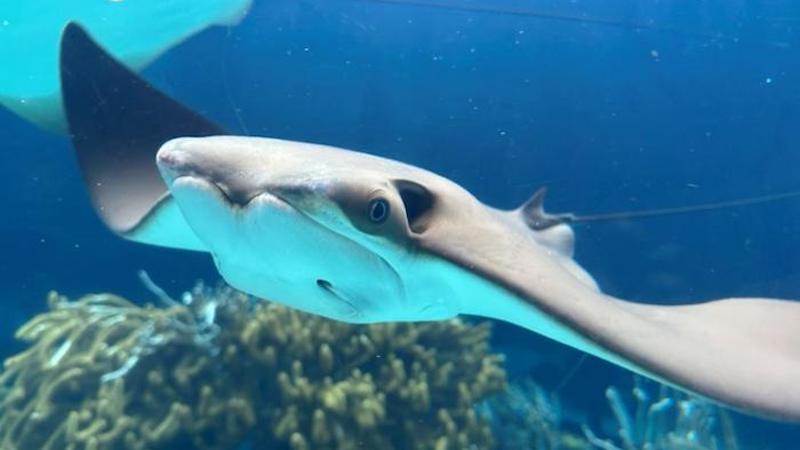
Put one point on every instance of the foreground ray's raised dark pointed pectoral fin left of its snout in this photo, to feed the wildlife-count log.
(117, 122)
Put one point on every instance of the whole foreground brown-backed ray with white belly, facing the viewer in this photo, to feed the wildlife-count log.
(359, 238)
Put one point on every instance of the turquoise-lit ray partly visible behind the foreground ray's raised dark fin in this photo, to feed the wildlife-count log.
(136, 32)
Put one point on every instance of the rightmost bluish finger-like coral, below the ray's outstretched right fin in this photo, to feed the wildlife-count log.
(670, 421)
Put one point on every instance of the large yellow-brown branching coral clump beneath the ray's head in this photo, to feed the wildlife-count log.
(222, 371)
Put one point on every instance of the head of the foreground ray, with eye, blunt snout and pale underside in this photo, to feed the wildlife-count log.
(307, 225)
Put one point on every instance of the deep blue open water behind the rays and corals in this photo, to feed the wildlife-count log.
(680, 103)
